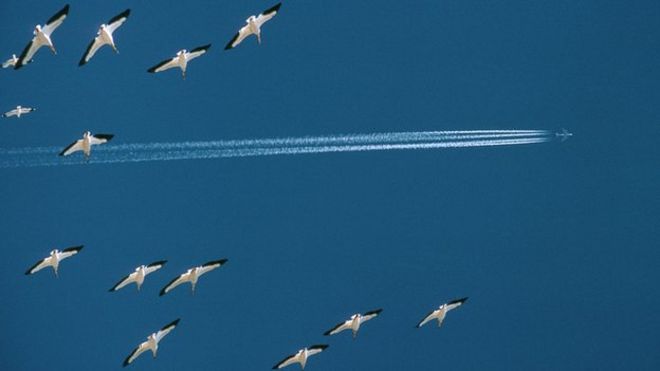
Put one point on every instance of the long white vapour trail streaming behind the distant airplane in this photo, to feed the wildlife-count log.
(141, 152)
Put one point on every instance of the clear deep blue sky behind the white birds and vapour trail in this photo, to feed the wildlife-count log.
(555, 244)
